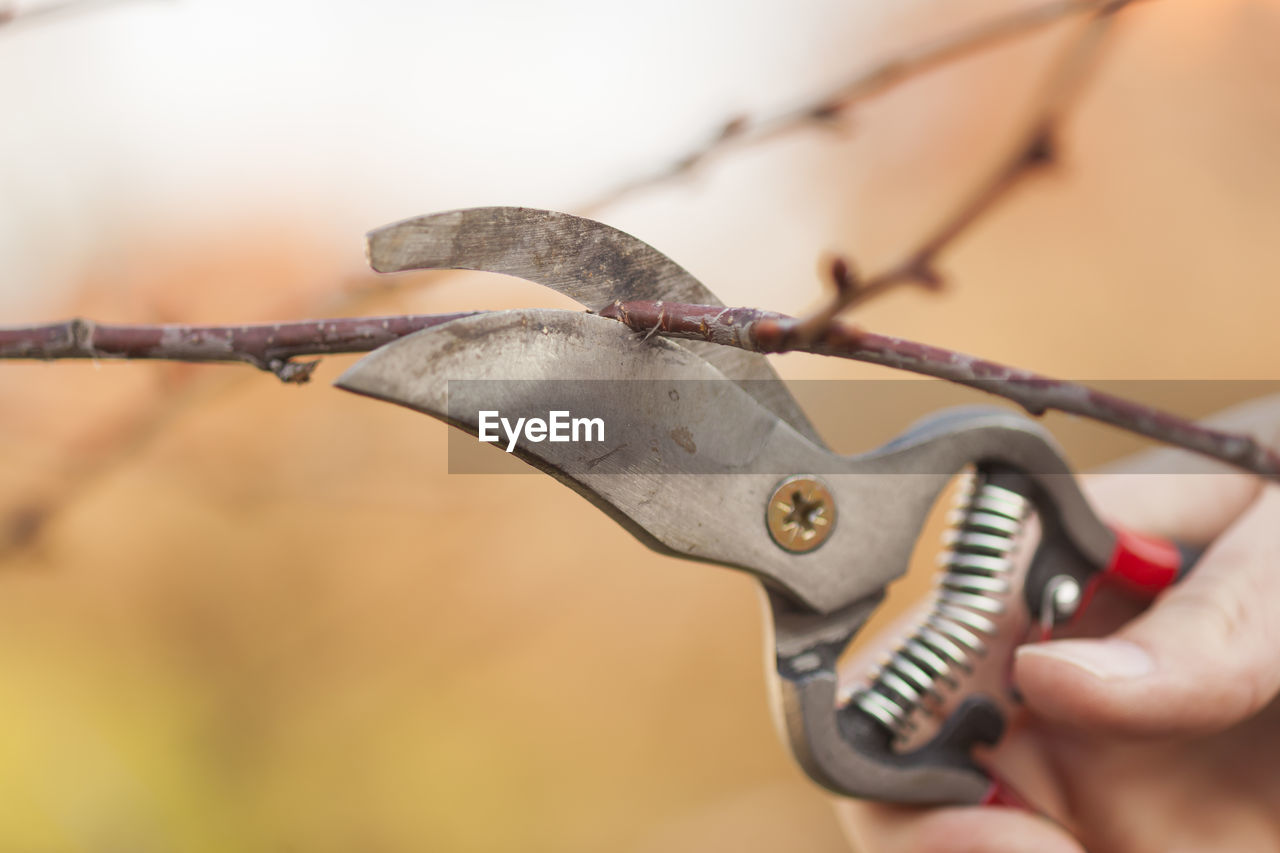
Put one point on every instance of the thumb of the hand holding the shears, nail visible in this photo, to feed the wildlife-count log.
(1201, 659)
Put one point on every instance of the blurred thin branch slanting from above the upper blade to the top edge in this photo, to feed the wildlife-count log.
(836, 104)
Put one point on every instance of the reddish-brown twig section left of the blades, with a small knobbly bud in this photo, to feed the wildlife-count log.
(268, 346)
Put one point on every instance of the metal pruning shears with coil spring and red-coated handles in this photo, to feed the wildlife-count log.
(707, 457)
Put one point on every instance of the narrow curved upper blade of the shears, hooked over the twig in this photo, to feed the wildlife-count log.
(584, 259)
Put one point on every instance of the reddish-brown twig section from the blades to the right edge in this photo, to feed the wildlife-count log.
(769, 332)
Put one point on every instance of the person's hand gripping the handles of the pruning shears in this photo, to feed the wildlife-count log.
(1163, 736)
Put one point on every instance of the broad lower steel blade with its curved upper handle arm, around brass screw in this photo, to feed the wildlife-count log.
(692, 473)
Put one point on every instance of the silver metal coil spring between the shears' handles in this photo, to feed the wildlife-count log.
(977, 562)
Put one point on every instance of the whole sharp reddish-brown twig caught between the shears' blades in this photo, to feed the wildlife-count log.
(275, 348)
